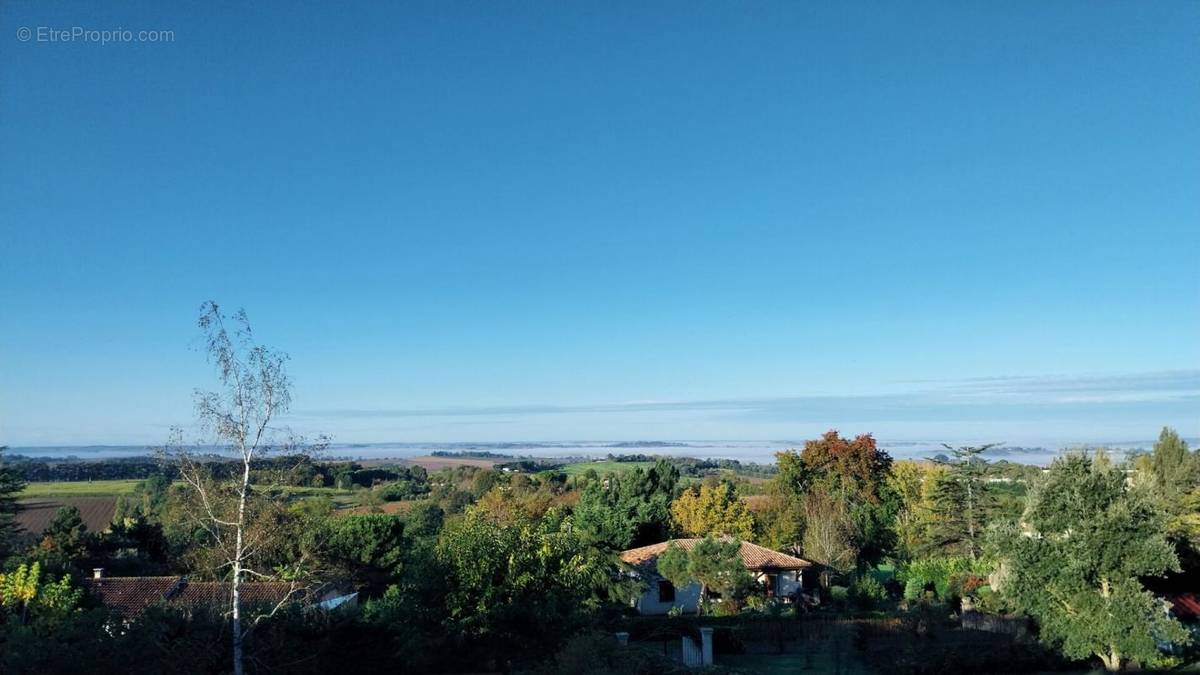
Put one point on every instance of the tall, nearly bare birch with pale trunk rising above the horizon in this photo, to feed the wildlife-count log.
(239, 419)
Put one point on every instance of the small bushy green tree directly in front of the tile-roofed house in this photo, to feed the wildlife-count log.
(713, 564)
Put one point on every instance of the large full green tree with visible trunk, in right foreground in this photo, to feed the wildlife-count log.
(1076, 569)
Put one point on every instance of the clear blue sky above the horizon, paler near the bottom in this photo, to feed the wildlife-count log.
(569, 220)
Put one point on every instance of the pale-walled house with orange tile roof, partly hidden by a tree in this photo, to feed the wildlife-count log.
(781, 574)
